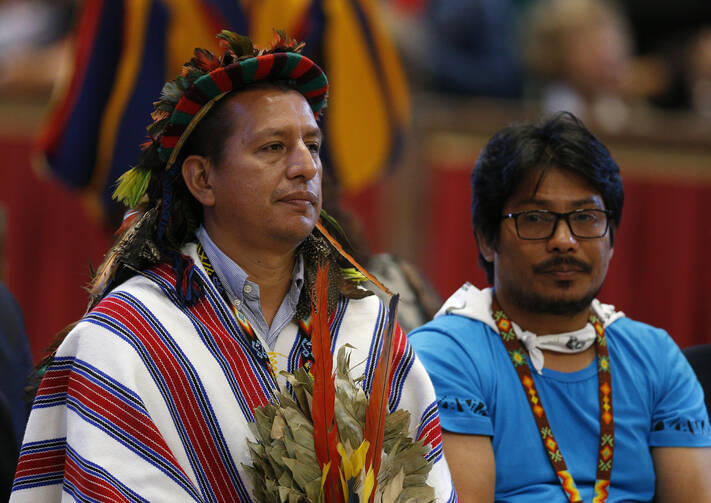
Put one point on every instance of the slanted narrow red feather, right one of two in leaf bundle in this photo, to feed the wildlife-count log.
(379, 394)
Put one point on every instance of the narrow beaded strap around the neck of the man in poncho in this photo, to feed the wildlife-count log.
(303, 336)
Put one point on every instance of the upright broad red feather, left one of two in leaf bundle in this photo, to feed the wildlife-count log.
(324, 391)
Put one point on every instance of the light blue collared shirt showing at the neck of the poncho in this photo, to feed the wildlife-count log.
(244, 294)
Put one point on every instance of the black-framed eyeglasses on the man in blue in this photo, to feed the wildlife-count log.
(541, 224)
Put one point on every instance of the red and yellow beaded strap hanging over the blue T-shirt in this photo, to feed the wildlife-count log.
(517, 353)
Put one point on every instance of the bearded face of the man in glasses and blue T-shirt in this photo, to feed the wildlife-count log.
(559, 275)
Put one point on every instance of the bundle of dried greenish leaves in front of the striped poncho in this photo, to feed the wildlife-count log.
(284, 462)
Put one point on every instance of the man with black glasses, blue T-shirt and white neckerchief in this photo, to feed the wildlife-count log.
(545, 393)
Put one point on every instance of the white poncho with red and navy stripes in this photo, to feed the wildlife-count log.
(147, 400)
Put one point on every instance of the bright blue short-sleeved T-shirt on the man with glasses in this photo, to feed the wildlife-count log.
(657, 401)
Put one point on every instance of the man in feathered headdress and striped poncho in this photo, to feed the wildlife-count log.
(207, 297)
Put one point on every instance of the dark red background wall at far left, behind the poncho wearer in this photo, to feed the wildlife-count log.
(50, 245)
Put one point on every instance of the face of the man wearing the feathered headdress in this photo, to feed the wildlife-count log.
(267, 189)
